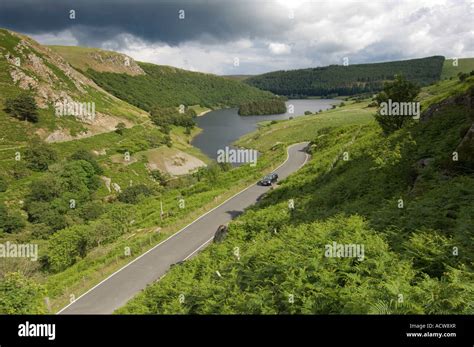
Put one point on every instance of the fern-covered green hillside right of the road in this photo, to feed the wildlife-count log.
(402, 197)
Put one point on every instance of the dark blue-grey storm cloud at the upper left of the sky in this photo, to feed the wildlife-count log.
(152, 21)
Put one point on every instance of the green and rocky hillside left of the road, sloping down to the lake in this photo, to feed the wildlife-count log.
(103, 191)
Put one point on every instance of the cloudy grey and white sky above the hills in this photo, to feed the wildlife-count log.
(251, 37)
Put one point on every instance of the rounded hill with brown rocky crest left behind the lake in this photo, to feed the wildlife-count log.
(149, 85)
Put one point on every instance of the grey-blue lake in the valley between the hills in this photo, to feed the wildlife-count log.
(222, 127)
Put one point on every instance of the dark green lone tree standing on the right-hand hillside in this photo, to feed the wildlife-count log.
(399, 91)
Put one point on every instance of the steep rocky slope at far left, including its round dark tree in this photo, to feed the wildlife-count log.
(31, 97)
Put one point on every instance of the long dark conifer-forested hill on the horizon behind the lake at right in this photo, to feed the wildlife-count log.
(347, 80)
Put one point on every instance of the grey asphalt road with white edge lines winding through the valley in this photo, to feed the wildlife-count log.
(114, 292)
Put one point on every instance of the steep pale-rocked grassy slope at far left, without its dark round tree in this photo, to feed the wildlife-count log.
(26, 65)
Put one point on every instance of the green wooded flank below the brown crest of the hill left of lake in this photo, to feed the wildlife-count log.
(165, 86)
